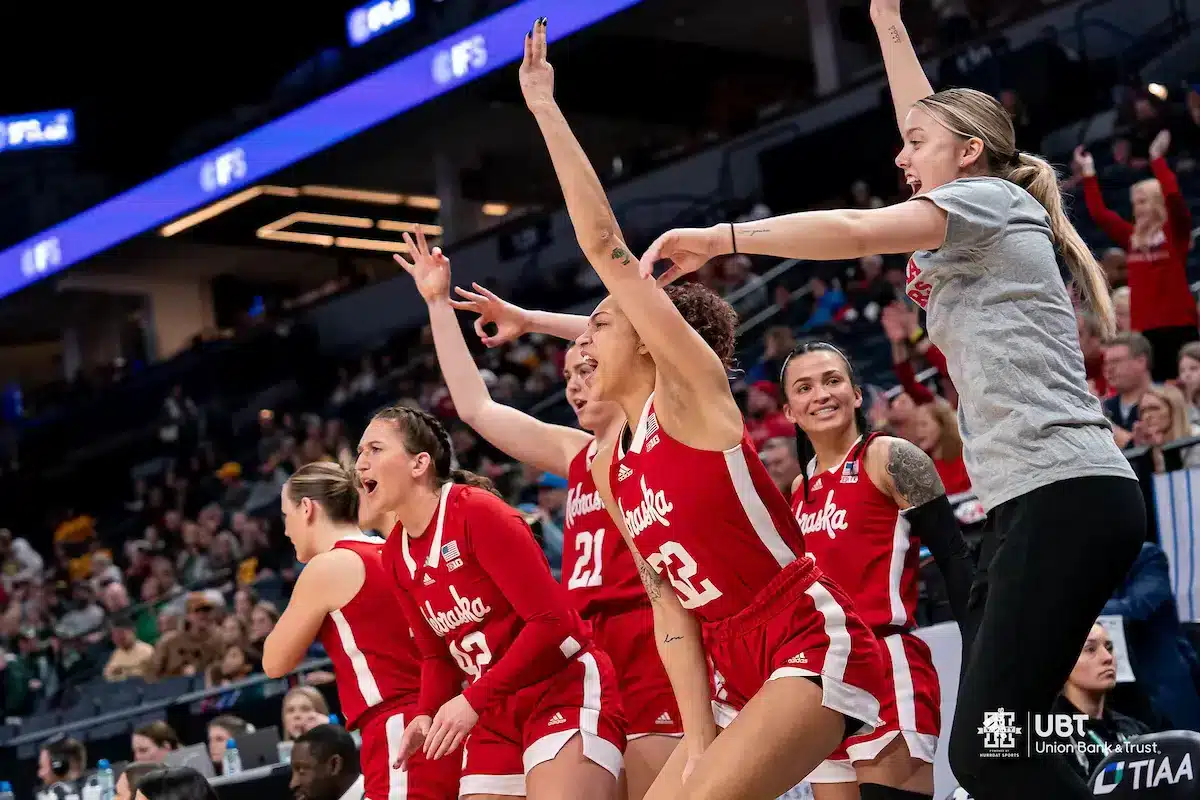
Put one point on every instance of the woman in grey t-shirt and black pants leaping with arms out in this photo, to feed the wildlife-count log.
(987, 224)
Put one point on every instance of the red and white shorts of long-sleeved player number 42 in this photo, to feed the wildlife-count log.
(532, 726)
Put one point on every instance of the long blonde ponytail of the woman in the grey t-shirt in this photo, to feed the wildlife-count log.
(1040, 179)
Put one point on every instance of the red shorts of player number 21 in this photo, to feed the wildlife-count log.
(646, 691)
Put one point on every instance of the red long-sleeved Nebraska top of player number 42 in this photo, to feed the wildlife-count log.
(478, 586)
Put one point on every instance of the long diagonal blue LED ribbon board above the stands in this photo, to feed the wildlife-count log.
(411, 82)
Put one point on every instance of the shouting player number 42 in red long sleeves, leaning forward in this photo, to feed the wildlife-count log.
(541, 717)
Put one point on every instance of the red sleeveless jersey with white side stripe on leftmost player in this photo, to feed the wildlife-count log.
(374, 663)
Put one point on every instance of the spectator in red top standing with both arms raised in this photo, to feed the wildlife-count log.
(1157, 245)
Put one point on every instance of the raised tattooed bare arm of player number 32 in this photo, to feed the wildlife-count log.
(677, 350)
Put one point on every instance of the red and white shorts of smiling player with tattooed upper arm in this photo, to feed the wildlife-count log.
(910, 707)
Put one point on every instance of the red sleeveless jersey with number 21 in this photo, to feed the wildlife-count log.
(598, 568)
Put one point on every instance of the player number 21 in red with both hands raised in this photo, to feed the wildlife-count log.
(598, 569)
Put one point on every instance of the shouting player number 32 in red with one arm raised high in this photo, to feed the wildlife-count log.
(704, 515)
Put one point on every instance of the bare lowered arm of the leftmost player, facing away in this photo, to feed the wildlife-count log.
(326, 585)
